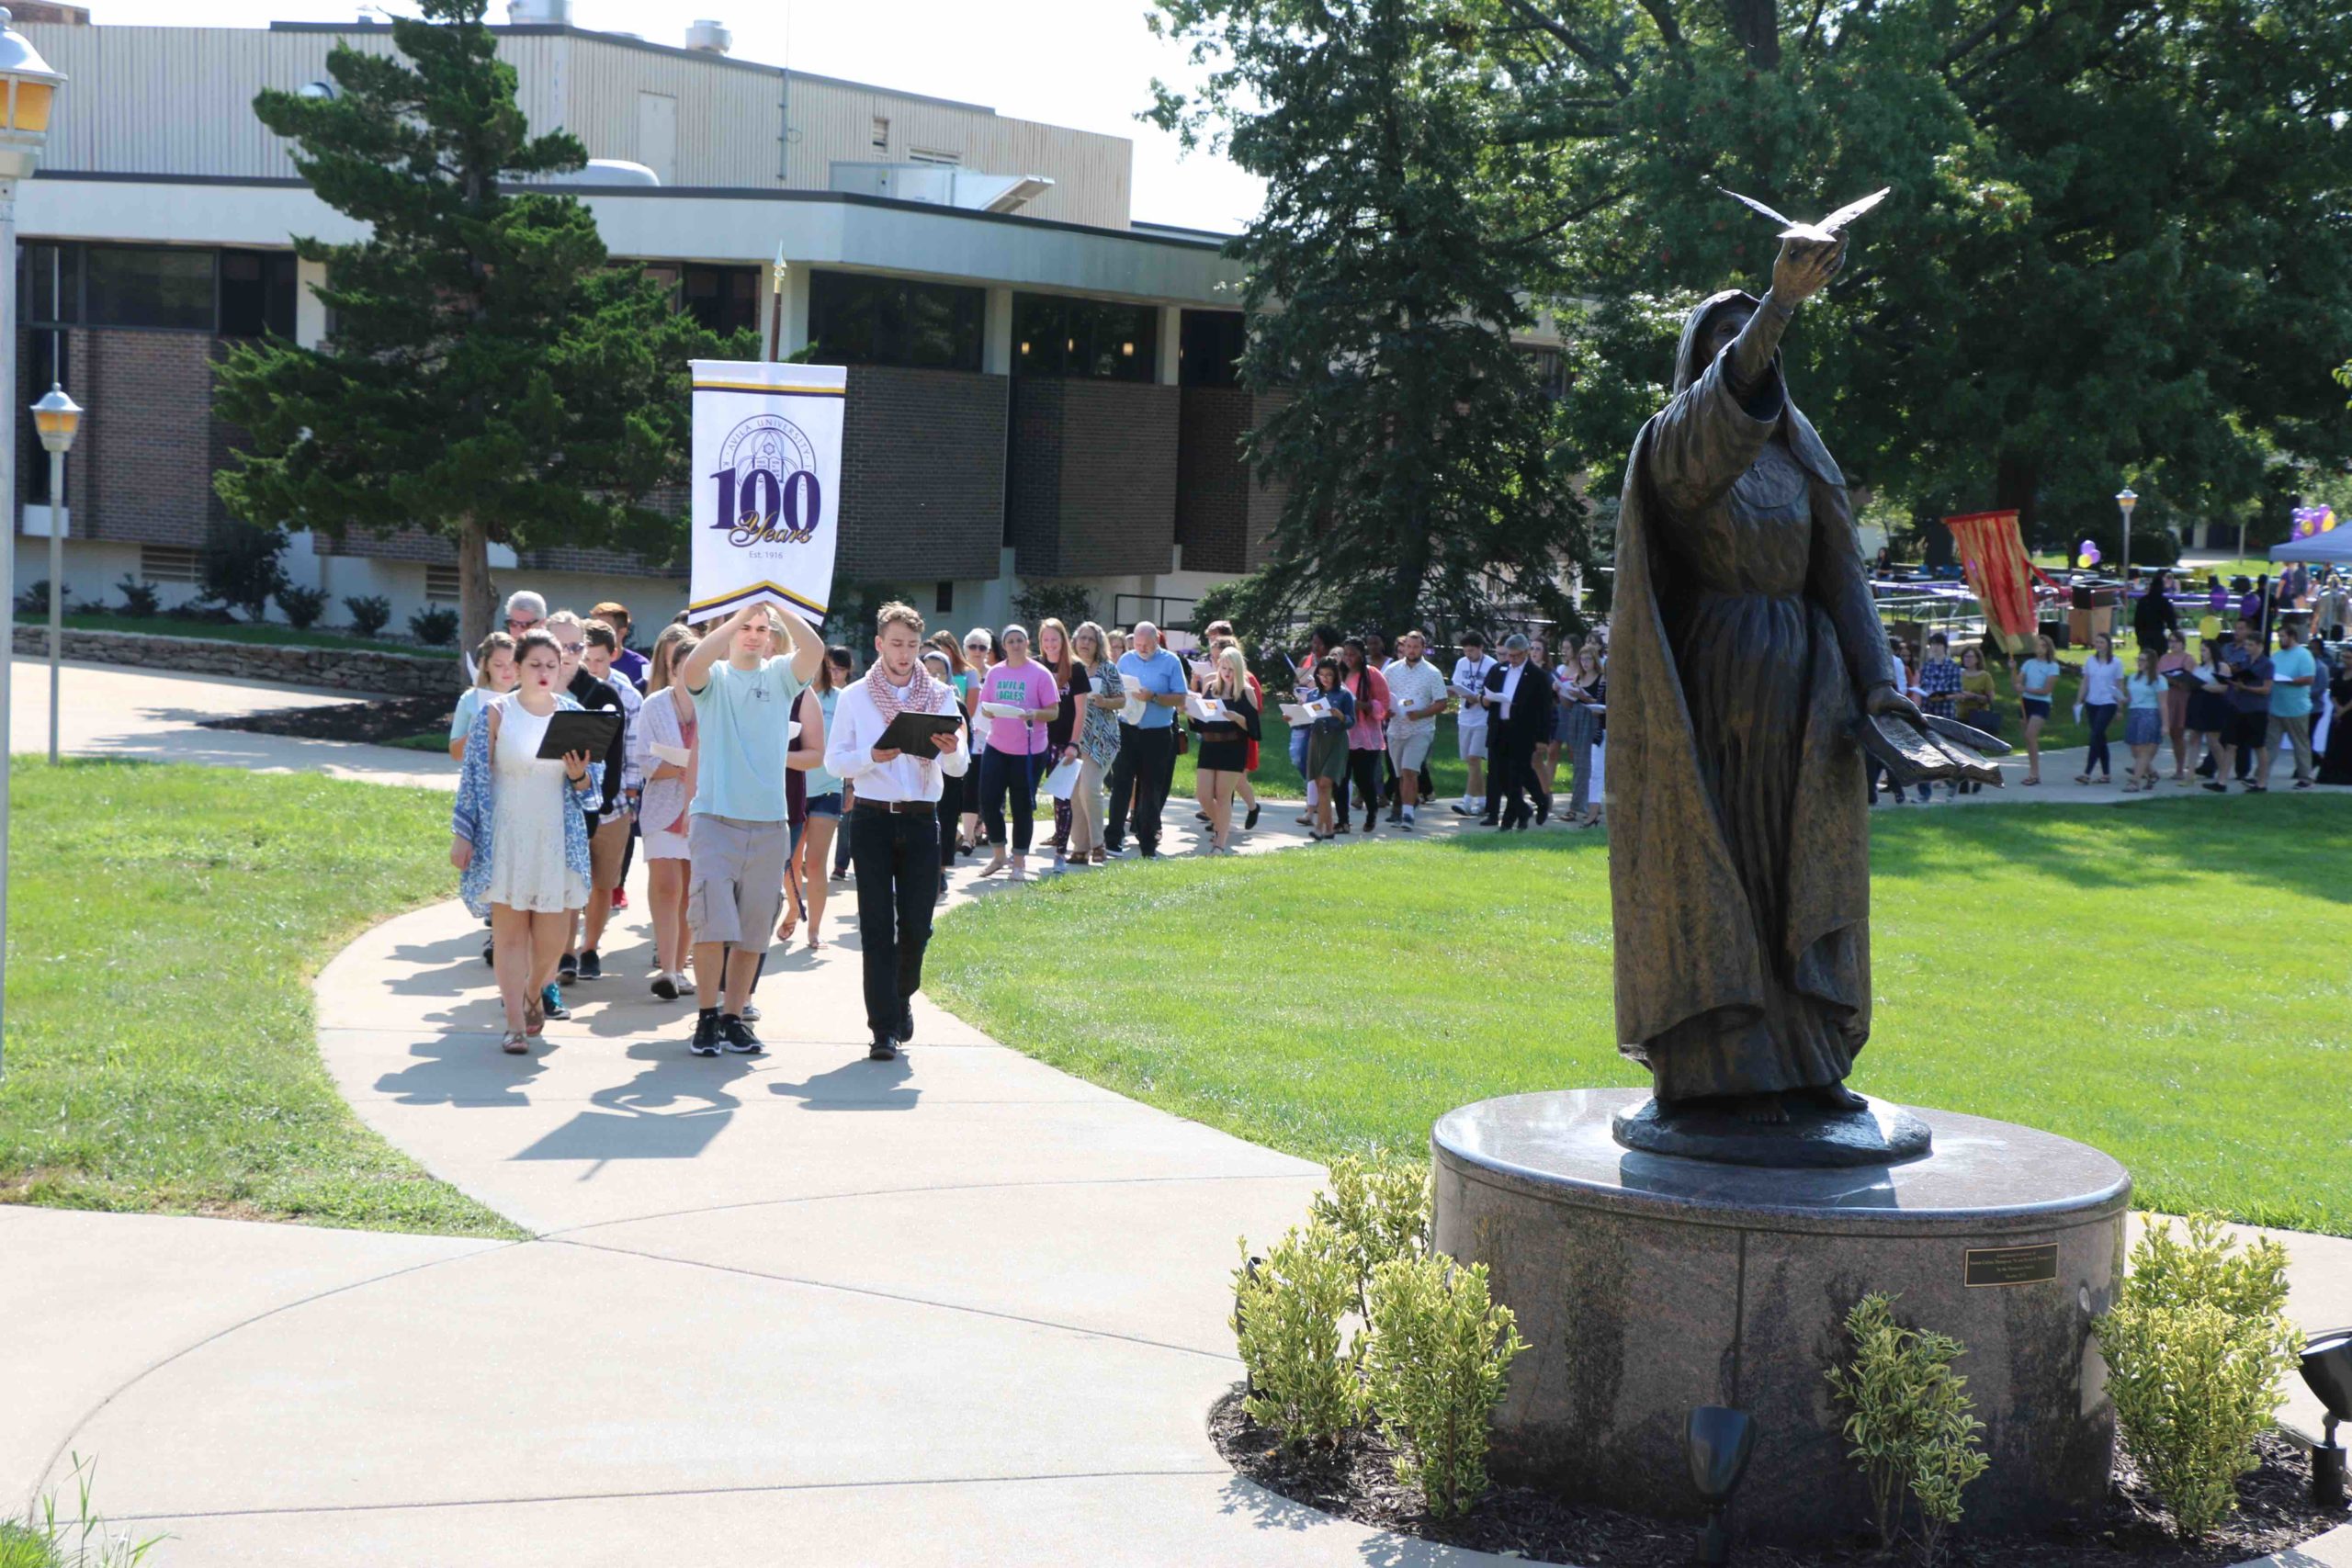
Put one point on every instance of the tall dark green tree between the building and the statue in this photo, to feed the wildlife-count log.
(1408, 217)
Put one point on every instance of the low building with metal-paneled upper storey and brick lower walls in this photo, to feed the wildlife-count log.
(1034, 394)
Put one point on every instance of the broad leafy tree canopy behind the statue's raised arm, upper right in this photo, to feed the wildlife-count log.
(2120, 243)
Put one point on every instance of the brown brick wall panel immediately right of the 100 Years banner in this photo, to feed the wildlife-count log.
(923, 476)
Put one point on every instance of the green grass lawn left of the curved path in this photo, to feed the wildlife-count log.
(163, 932)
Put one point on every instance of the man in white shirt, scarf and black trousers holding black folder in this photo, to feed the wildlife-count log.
(895, 822)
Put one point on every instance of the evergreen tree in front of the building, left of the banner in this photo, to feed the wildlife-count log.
(493, 375)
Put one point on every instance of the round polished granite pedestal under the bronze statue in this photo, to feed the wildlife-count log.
(1648, 1285)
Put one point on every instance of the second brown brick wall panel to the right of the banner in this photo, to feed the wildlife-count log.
(1095, 476)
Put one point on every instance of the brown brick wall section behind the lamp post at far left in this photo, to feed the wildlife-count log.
(142, 464)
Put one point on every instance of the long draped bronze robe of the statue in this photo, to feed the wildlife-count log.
(1739, 850)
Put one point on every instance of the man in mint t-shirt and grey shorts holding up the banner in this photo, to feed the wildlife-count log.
(737, 826)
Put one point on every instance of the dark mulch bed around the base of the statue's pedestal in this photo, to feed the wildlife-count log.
(1356, 1482)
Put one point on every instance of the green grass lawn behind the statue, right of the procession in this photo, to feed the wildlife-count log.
(2165, 984)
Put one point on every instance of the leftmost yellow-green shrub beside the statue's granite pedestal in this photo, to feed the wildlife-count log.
(1285, 1318)
